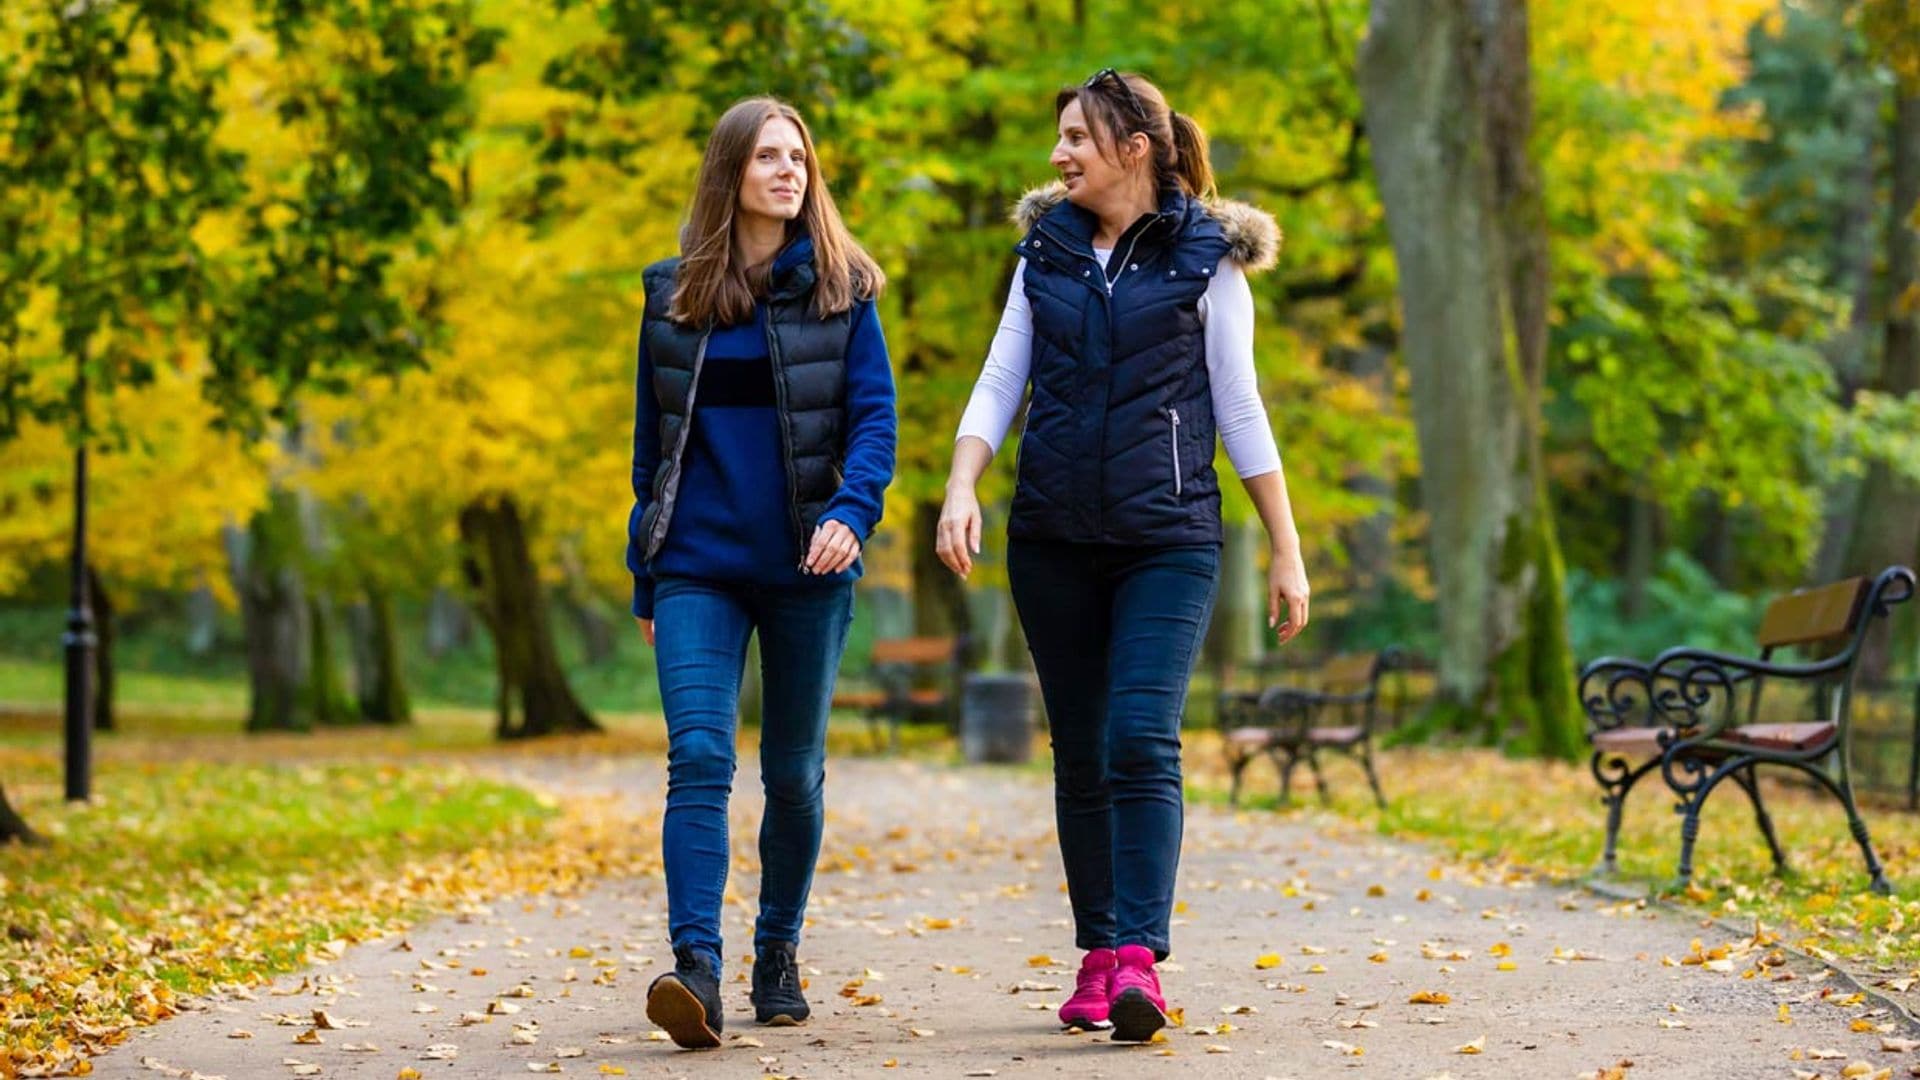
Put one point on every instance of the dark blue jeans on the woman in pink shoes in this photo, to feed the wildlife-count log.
(1115, 637)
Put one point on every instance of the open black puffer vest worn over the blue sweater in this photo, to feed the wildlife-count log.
(809, 356)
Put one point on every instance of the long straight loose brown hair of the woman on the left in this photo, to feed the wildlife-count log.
(711, 289)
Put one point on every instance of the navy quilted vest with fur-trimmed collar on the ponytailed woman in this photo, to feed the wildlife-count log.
(1120, 430)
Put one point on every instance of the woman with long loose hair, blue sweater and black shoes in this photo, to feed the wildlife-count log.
(763, 443)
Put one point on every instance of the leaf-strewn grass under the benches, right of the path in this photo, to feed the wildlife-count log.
(1545, 818)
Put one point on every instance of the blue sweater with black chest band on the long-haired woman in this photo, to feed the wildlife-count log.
(731, 520)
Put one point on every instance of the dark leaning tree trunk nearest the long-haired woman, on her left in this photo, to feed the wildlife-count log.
(535, 697)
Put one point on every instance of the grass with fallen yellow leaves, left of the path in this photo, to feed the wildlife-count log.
(187, 875)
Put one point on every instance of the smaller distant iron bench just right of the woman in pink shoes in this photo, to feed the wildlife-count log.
(1291, 725)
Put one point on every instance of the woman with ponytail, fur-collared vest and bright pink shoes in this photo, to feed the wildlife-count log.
(1134, 324)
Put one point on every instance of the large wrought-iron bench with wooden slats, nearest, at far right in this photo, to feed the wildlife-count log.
(1696, 714)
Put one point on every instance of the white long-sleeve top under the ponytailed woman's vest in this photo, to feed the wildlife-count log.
(1226, 312)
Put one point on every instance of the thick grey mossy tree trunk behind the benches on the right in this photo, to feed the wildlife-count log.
(1449, 112)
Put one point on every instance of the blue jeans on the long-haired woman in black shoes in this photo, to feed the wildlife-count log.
(702, 637)
